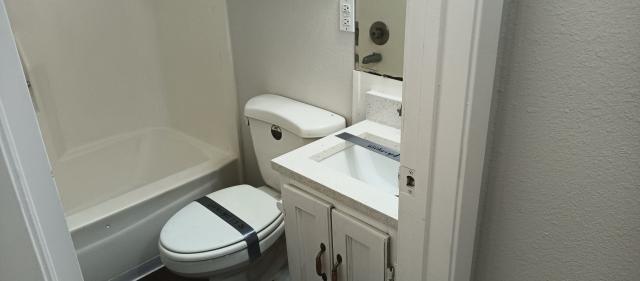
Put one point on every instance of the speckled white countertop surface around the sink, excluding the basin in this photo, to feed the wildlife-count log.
(303, 165)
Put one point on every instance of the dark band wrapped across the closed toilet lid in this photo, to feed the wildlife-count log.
(250, 236)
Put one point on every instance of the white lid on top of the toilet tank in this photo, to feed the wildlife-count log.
(304, 120)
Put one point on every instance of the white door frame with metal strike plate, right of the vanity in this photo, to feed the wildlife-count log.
(450, 55)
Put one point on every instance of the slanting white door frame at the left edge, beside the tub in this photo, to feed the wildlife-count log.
(25, 160)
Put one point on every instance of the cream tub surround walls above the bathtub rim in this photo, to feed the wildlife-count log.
(100, 68)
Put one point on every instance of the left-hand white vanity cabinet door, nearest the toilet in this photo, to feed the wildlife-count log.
(307, 227)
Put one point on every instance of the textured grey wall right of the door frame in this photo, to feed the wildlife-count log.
(562, 187)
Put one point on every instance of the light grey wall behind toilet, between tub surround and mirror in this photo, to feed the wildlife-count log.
(292, 48)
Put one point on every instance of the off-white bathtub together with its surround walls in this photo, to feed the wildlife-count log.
(138, 109)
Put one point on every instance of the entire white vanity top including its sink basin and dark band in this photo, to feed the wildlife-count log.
(357, 166)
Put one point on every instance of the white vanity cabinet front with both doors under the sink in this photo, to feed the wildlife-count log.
(324, 243)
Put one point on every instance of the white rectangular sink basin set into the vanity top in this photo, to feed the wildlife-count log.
(367, 166)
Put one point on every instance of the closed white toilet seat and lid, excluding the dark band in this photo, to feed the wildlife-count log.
(195, 237)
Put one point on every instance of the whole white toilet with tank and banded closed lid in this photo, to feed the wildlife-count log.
(236, 233)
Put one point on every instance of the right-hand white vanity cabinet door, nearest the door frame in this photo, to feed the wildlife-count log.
(363, 249)
